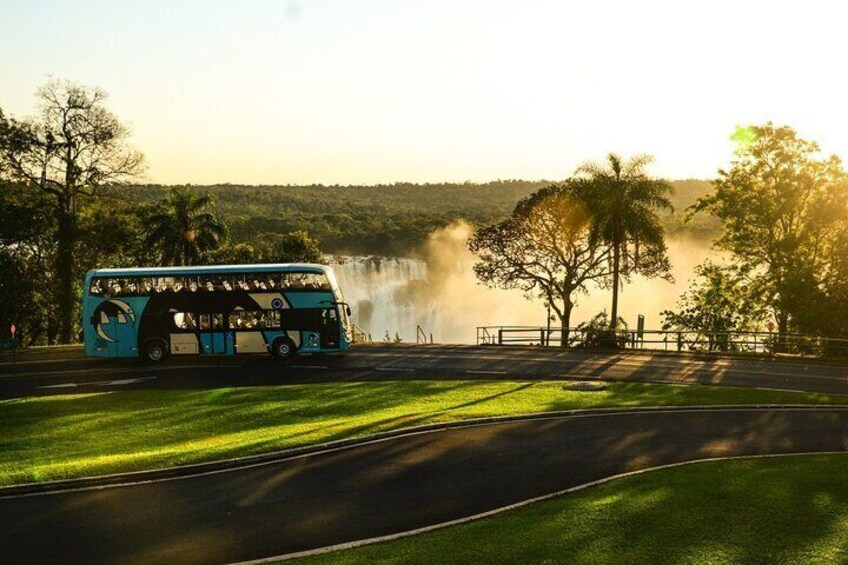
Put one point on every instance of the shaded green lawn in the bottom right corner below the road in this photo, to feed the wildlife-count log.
(789, 510)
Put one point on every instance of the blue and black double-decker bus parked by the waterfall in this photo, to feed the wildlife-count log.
(151, 313)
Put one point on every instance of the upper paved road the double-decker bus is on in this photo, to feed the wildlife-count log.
(69, 371)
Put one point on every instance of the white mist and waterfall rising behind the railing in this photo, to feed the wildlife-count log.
(440, 292)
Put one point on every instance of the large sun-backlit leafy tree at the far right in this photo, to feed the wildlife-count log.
(779, 203)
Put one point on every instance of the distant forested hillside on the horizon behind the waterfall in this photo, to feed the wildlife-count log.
(383, 219)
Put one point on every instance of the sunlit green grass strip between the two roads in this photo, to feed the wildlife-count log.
(59, 437)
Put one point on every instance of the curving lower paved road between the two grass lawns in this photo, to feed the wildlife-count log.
(386, 487)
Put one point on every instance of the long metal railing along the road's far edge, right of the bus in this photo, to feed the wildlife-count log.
(665, 340)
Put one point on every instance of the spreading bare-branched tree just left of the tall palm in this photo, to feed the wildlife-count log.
(544, 249)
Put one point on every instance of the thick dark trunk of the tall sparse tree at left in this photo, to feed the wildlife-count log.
(66, 302)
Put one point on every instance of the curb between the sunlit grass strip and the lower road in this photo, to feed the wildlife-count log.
(234, 464)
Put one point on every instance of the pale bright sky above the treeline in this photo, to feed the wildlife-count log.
(369, 91)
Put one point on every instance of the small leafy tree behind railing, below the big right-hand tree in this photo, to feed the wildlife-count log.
(716, 304)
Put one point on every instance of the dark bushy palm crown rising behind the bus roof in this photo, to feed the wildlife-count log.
(183, 227)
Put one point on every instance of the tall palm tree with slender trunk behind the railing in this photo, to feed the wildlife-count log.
(623, 201)
